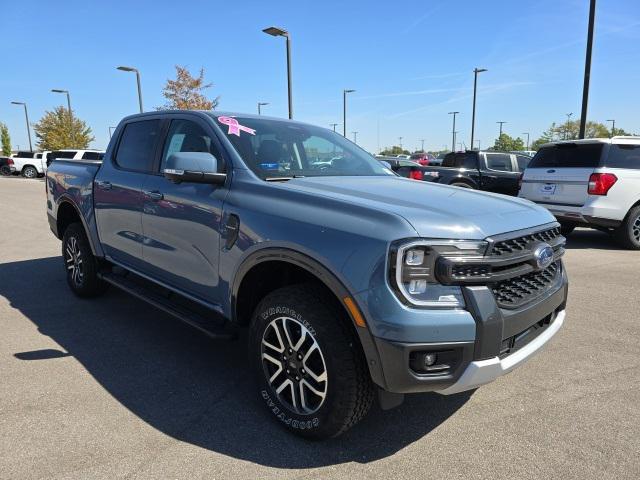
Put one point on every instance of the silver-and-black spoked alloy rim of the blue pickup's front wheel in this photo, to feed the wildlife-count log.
(294, 365)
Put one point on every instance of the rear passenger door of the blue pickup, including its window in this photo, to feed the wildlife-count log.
(117, 191)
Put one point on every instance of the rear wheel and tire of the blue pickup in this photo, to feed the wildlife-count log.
(80, 264)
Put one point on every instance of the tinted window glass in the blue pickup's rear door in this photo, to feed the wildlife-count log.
(137, 145)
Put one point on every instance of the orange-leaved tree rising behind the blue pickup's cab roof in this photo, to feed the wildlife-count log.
(185, 92)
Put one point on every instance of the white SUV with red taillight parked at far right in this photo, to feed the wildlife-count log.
(593, 183)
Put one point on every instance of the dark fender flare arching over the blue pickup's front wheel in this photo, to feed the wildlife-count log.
(329, 279)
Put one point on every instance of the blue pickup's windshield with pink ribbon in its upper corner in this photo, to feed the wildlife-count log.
(275, 149)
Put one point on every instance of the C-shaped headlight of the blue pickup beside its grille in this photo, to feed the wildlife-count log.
(413, 271)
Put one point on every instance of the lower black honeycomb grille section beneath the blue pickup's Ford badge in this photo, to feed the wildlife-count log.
(517, 291)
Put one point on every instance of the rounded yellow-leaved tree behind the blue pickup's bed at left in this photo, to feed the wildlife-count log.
(55, 131)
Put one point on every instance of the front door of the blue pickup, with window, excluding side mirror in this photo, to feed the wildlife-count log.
(181, 221)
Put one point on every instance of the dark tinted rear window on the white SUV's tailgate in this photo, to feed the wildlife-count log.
(568, 155)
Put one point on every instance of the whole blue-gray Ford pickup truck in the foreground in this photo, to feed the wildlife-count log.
(354, 283)
